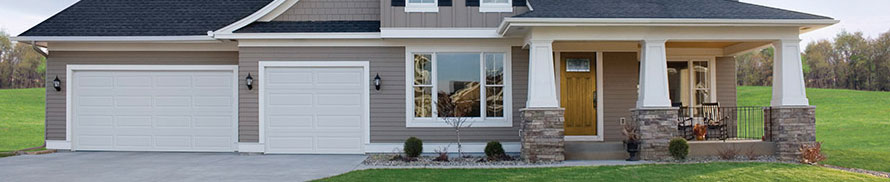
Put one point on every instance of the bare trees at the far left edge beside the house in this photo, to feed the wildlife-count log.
(20, 65)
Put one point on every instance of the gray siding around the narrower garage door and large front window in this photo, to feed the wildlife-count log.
(387, 105)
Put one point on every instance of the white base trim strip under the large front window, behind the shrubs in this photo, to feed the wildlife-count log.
(469, 147)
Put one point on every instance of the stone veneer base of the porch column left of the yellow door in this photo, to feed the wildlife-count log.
(542, 134)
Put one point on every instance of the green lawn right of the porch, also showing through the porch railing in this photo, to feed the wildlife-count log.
(854, 126)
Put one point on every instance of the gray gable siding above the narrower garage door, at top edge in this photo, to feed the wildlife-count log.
(331, 10)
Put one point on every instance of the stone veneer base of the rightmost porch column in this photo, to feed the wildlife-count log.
(791, 127)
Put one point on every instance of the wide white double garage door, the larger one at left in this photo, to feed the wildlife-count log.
(184, 110)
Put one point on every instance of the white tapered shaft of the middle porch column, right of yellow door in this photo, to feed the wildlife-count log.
(653, 76)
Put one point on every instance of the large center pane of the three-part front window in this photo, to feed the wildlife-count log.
(458, 77)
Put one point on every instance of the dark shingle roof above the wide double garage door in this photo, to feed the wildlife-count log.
(145, 17)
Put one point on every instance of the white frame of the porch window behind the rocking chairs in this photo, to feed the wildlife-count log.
(712, 74)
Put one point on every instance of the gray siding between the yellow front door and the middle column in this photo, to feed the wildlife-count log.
(620, 79)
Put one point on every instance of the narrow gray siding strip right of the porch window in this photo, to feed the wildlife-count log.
(726, 81)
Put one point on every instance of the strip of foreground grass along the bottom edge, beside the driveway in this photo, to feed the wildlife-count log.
(662, 172)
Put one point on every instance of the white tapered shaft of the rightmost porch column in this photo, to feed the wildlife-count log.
(788, 81)
